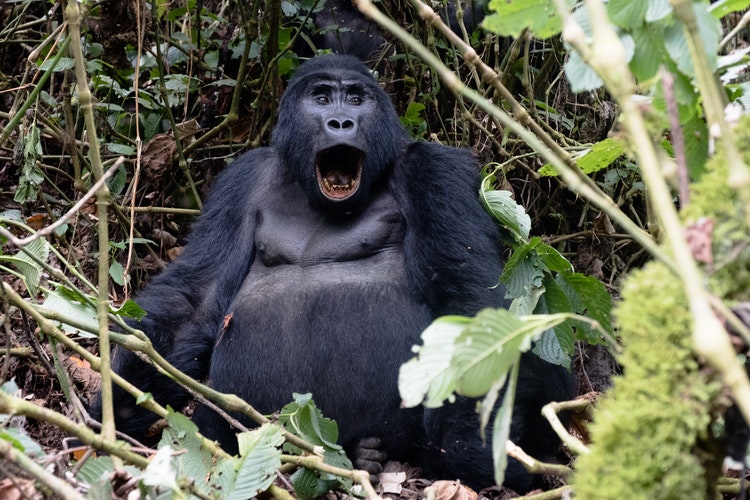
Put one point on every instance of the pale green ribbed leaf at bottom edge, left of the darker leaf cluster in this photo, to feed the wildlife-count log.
(260, 450)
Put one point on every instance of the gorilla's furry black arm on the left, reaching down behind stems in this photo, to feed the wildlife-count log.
(185, 304)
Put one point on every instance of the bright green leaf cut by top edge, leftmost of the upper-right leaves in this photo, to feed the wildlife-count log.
(511, 17)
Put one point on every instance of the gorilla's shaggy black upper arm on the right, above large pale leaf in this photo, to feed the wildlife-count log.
(452, 246)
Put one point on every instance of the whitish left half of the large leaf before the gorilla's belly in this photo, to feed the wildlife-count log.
(428, 377)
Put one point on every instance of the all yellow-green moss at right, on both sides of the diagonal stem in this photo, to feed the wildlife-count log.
(651, 431)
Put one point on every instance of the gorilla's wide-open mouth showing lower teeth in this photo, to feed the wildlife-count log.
(339, 170)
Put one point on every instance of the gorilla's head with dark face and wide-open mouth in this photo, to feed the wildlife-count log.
(337, 132)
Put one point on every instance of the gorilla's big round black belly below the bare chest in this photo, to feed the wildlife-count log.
(309, 328)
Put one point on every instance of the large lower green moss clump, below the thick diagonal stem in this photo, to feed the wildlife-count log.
(646, 432)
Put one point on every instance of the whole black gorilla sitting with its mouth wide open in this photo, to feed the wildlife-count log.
(315, 267)
